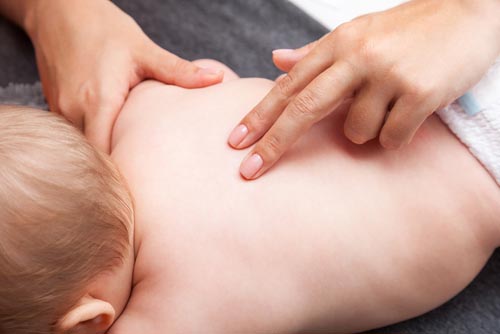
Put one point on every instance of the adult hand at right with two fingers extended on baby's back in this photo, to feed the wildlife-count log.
(410, 60)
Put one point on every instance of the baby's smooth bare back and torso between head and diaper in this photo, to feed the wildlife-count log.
(337, 237)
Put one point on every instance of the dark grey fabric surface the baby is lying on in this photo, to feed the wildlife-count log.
(242, 34)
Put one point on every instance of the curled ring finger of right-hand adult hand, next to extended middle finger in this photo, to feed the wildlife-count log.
(367, 114)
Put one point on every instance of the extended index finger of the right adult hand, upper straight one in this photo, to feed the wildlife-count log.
(262, 117)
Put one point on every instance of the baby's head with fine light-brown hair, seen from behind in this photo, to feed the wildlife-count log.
(66, 226)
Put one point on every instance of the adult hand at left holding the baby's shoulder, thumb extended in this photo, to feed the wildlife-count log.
(90, 54)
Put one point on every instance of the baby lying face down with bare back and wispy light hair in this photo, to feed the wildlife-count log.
(338, 238)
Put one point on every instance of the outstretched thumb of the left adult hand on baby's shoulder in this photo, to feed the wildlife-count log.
(168, 68)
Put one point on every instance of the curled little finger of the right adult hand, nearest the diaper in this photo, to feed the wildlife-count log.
(405, 118)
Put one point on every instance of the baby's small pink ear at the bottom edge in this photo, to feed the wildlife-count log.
(89, 316)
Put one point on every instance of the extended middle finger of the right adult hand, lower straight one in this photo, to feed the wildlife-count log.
(320, 98)
